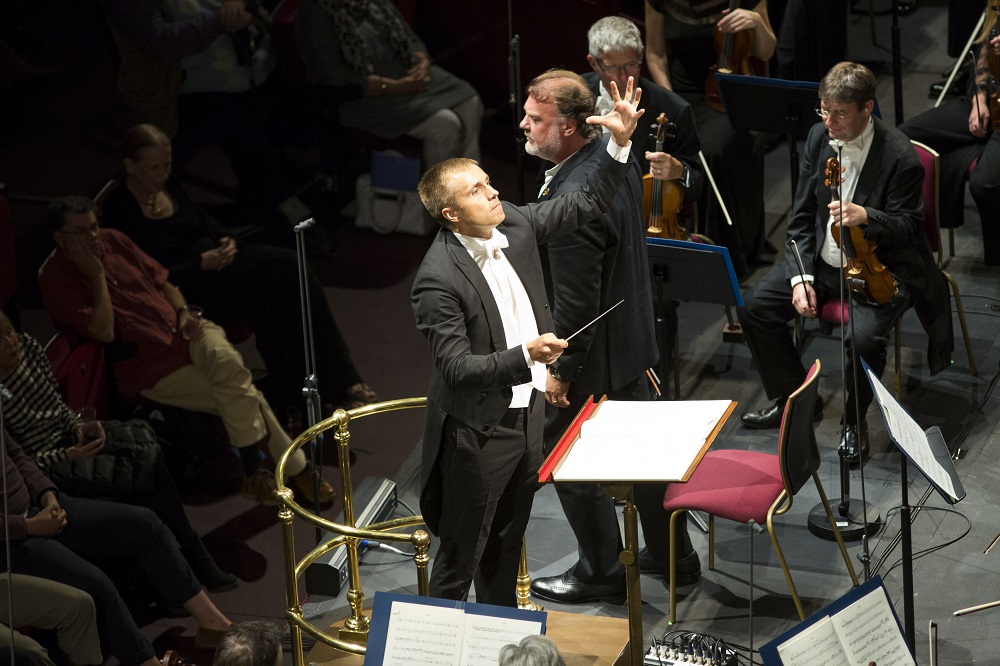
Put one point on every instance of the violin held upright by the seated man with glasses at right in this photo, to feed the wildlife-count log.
(864, 274)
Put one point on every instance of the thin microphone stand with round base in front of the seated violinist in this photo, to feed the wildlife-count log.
(858, 518)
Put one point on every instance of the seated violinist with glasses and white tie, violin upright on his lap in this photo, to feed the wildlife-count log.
(881, 194)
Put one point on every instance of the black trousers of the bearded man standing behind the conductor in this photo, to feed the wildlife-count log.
(591, 511)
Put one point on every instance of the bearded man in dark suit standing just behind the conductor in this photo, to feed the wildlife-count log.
(591, 270)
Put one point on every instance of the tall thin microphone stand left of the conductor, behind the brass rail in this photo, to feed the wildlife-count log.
(310, 385)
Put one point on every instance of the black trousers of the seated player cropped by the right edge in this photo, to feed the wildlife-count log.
(946, 130)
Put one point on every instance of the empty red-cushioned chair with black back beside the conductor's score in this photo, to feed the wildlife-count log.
(751, 485)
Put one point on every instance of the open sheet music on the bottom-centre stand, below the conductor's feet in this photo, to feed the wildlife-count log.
(422, 635)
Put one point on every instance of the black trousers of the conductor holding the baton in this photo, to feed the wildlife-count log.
(489, 483)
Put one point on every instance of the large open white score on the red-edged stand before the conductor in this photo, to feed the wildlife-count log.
(641, 441)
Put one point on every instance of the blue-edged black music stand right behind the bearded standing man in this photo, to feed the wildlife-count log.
(687, 271)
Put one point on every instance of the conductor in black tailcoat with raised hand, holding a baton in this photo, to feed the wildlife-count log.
(479, 299)
